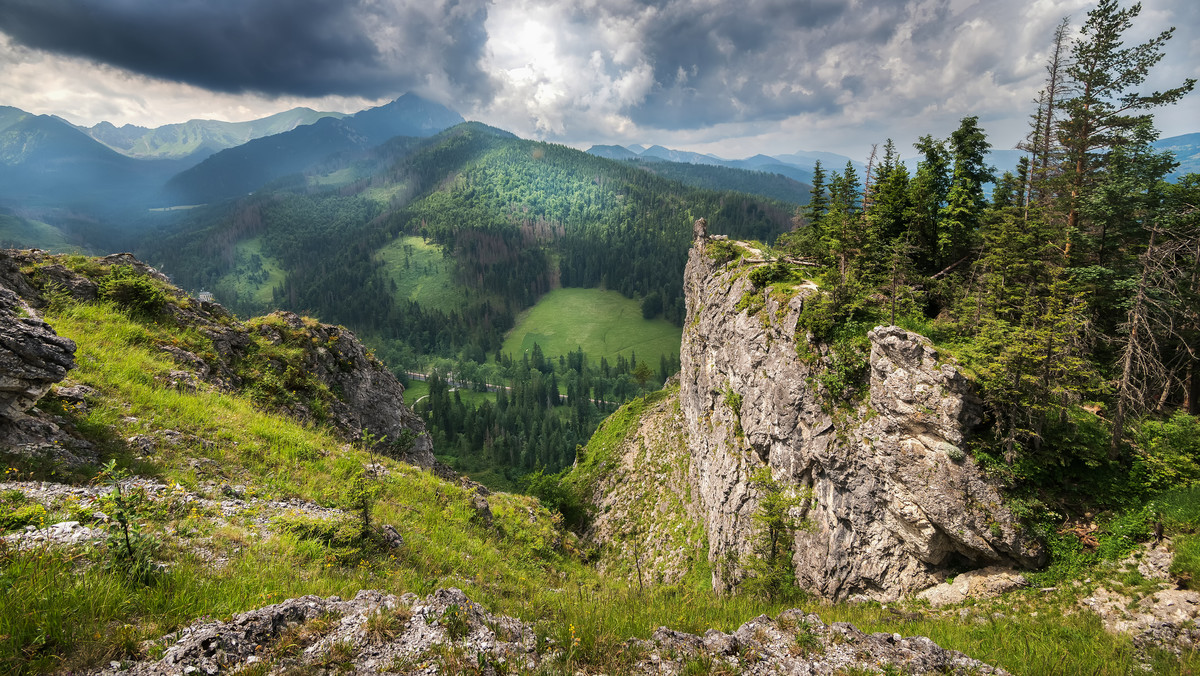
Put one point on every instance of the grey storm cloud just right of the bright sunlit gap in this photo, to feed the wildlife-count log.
(760, 61)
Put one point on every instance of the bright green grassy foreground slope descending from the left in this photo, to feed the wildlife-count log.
(63, 613)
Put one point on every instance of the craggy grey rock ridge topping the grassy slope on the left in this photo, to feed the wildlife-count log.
(358, 393)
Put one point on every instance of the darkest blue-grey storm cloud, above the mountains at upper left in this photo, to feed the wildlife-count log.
(277, 47)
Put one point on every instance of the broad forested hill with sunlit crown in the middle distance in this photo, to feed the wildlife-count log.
(514, 219)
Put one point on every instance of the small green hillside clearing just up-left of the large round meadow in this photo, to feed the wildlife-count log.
(423, 274)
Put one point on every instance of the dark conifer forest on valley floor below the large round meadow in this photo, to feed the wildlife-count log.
(544, 408)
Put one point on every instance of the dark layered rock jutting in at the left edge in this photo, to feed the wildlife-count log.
(33, 357)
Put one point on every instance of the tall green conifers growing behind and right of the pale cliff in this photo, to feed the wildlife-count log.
(1072, 295)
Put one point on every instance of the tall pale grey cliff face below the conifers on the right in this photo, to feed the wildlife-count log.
(897, 504)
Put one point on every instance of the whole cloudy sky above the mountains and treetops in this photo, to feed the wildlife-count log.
(733, 79)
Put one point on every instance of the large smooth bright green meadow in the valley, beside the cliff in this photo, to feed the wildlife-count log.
(604, 324)
